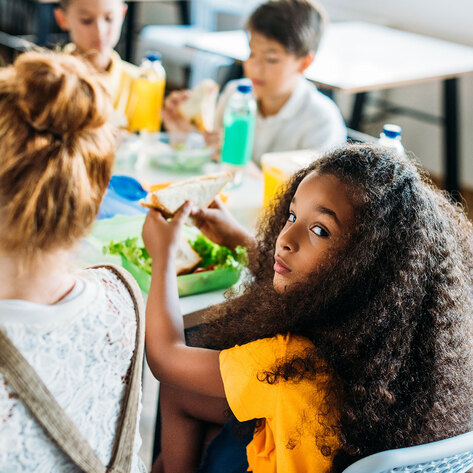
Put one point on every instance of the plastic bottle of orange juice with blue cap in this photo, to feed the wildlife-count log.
(145, 103)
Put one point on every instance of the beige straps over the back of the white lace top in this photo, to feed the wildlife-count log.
(22, 378)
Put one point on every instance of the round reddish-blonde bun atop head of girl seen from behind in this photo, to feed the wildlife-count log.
(58, 93)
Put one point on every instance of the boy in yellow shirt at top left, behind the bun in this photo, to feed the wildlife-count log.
(95, 27)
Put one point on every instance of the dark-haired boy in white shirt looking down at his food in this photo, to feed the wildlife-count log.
(292, 114)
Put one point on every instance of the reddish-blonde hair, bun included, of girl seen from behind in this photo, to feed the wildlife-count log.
(57, 151)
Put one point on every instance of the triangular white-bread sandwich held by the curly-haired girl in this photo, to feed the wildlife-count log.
(199, 190)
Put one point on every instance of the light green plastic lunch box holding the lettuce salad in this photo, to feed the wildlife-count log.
(122, 227)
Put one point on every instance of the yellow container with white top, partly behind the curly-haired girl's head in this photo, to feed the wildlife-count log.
(279, 167)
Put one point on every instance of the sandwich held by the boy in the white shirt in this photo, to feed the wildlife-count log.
(199, 107)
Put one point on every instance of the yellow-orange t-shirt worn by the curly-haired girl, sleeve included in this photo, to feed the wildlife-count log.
(286, 440)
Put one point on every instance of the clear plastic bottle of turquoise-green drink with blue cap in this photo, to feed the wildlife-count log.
(238, 128)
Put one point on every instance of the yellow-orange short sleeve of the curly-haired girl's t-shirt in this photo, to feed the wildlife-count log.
(240, 368)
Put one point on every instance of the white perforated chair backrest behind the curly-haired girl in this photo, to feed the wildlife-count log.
(452, 455)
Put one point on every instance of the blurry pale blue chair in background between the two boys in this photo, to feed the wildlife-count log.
(171, 41)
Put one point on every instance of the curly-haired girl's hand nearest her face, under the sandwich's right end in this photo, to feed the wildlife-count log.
(218, 224)
